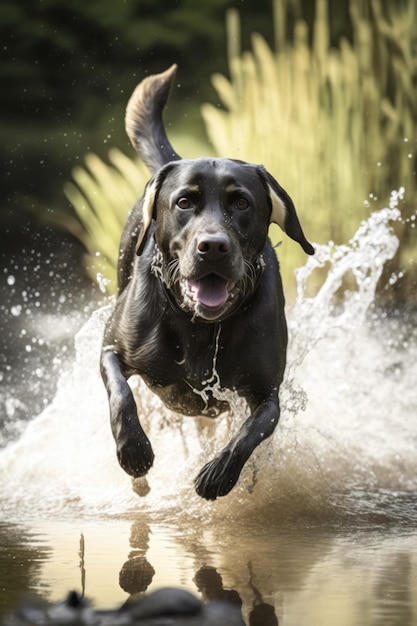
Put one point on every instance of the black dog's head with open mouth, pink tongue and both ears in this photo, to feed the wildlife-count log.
(212, 218)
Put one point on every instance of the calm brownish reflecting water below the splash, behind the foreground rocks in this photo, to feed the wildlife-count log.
(301, 573)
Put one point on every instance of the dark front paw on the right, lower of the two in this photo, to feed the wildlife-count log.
(218, 477)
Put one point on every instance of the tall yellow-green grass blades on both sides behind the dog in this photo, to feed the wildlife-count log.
(336, 126)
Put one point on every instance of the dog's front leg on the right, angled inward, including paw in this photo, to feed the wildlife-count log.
(220, 475)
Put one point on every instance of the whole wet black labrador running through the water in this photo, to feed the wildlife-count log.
(200, 296)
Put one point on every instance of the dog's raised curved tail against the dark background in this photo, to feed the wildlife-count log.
(143, 121)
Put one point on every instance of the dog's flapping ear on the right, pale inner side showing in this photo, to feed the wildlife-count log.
(284, 214)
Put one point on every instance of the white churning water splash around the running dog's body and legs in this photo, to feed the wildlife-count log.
(348, 413)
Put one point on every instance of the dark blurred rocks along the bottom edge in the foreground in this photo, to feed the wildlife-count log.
(166, 606)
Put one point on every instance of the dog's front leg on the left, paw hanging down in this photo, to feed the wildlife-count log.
(134, 450)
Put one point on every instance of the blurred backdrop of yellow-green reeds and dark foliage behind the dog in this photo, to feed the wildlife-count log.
(324, 94)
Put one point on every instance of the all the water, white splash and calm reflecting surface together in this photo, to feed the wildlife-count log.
(322, 525)
